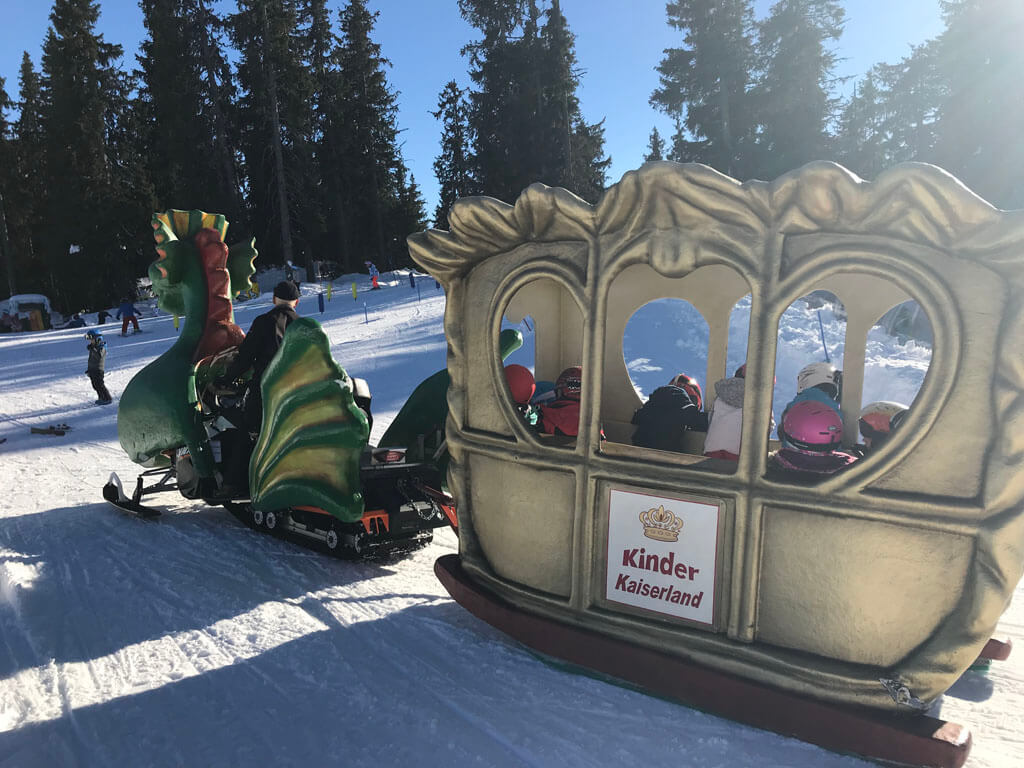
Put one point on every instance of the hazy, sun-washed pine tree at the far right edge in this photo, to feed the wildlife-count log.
(982, 115)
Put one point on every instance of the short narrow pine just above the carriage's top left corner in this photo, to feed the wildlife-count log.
(452, 166)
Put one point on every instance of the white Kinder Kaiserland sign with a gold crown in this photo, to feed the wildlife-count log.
(662, 554)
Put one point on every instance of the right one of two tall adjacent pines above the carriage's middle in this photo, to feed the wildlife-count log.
(794, 96)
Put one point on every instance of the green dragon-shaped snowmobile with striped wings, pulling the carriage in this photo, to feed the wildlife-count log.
(312, 475)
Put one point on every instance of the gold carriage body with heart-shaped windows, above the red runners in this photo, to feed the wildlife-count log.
(876, 587)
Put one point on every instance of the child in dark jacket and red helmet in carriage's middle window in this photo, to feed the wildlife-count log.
(669, 413)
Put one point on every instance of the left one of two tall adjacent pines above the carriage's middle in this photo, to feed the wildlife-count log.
(706, 83)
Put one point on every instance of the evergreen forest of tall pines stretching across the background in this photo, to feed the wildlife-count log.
(280, 115)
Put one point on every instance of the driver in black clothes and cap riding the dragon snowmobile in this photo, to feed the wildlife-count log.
(261, 347)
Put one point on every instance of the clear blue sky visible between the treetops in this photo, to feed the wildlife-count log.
(619, 44)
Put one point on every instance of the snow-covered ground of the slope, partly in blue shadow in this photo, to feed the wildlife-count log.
(195, 642)
